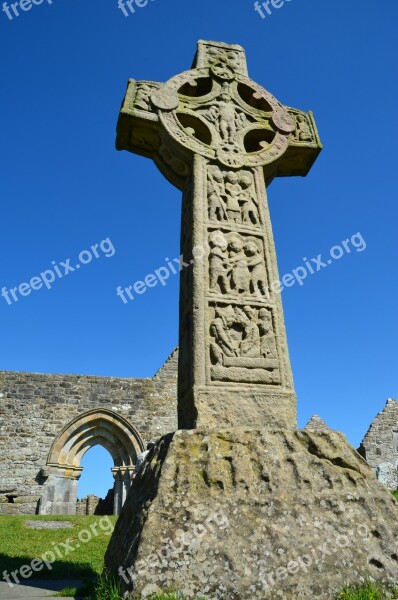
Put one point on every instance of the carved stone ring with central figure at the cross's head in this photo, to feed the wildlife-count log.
(234, 121)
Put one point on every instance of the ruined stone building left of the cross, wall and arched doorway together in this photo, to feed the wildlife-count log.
(52, 420)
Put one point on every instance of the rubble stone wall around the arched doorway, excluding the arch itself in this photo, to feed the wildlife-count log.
(34, 408)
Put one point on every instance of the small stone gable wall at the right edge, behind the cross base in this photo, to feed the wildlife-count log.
(380, 445)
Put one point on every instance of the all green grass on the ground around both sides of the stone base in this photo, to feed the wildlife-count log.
(78, 553)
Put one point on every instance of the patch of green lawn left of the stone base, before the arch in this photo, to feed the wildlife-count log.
(19, 545)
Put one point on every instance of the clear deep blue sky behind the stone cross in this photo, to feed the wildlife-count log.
(64, 188)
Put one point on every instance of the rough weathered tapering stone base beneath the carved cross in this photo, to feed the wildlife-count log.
(249, 515)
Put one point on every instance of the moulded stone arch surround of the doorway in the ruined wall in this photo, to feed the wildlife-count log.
(63, 467)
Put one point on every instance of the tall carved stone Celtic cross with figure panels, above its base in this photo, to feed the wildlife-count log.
(221, 139)
